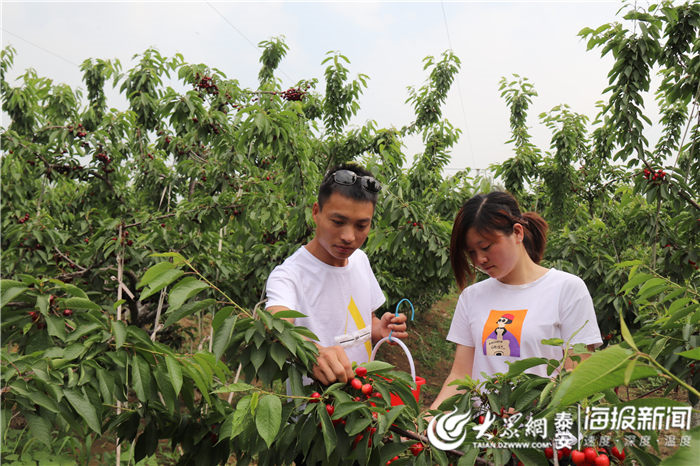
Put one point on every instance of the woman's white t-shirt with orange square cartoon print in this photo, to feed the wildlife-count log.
(508, 322)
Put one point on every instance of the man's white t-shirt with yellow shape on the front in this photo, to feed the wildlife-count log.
(338, 301)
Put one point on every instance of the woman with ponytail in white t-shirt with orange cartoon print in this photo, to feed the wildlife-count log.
(505, 317)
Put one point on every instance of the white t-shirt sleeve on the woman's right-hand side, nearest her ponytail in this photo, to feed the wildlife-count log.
(577, 312)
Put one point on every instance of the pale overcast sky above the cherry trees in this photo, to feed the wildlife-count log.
(387, 41)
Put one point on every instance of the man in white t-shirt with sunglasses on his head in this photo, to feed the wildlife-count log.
(330, 279)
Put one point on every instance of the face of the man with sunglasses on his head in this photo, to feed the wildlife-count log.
(341, 227)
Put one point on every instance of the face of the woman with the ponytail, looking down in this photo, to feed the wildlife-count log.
(495, 253)
